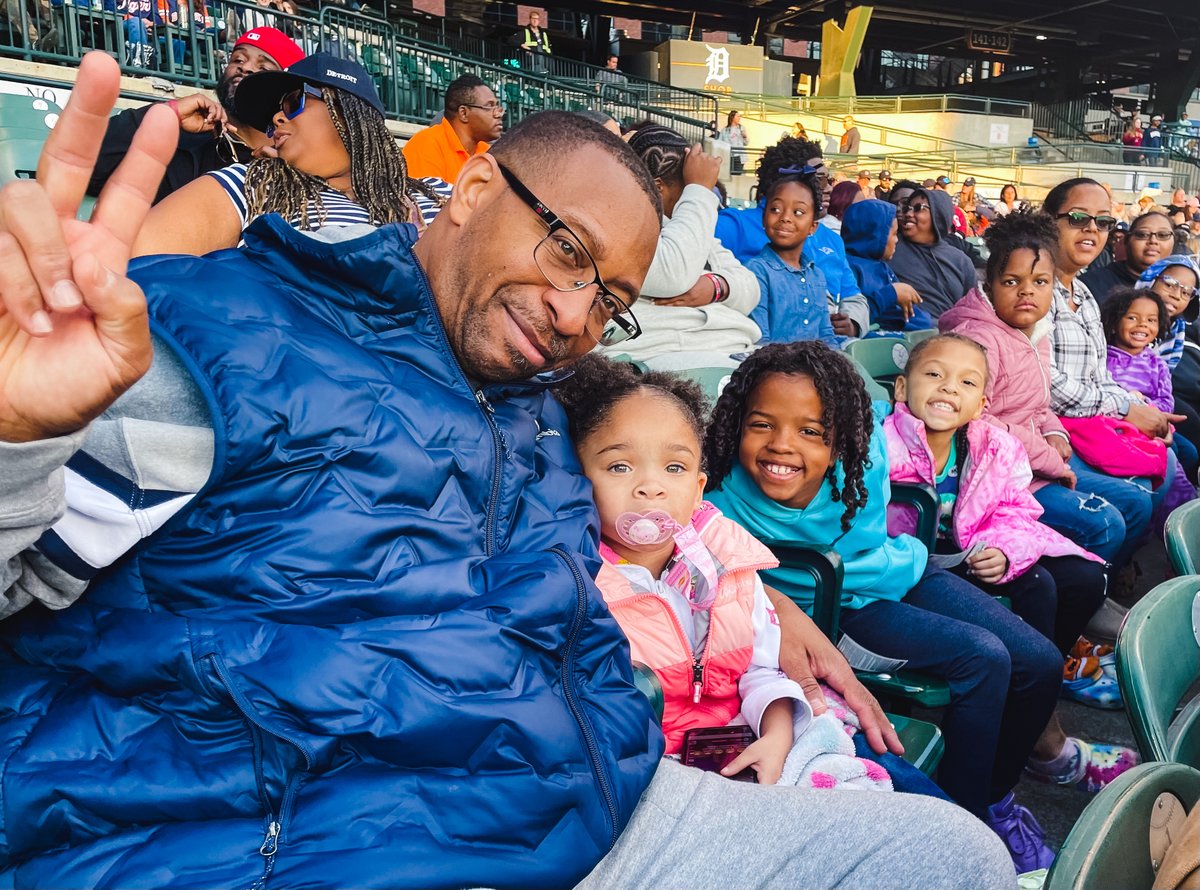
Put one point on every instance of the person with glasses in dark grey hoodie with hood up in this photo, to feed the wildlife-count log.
(926, 257)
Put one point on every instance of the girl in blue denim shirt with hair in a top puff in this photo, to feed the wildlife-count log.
(793, 303)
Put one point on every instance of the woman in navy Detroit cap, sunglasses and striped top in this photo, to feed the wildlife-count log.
(335, 165)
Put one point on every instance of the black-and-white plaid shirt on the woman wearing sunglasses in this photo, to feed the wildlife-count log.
(1081, 383)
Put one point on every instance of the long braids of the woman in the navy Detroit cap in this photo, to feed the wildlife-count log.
(379, 173)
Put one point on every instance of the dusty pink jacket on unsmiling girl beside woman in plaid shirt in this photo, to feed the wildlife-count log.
(1018, 381)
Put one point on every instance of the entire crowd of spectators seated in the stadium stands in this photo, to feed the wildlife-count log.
(320, 540)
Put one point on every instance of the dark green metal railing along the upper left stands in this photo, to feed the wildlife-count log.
(410, 75)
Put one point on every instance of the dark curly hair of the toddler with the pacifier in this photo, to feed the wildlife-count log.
(598, 386)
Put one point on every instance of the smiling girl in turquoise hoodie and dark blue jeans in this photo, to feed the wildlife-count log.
(795, 455)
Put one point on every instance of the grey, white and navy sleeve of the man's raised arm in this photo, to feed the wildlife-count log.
(73, 506)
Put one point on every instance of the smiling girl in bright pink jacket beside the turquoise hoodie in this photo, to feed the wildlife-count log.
(989, 531)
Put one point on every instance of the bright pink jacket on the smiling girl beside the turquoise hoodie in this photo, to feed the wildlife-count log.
(994, 504)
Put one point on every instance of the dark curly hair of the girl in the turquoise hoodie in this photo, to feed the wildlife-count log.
(845, 414)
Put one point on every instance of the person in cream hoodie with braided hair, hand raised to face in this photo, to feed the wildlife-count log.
(697, 299)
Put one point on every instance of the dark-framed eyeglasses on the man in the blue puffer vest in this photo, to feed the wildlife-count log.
(566, 264)
